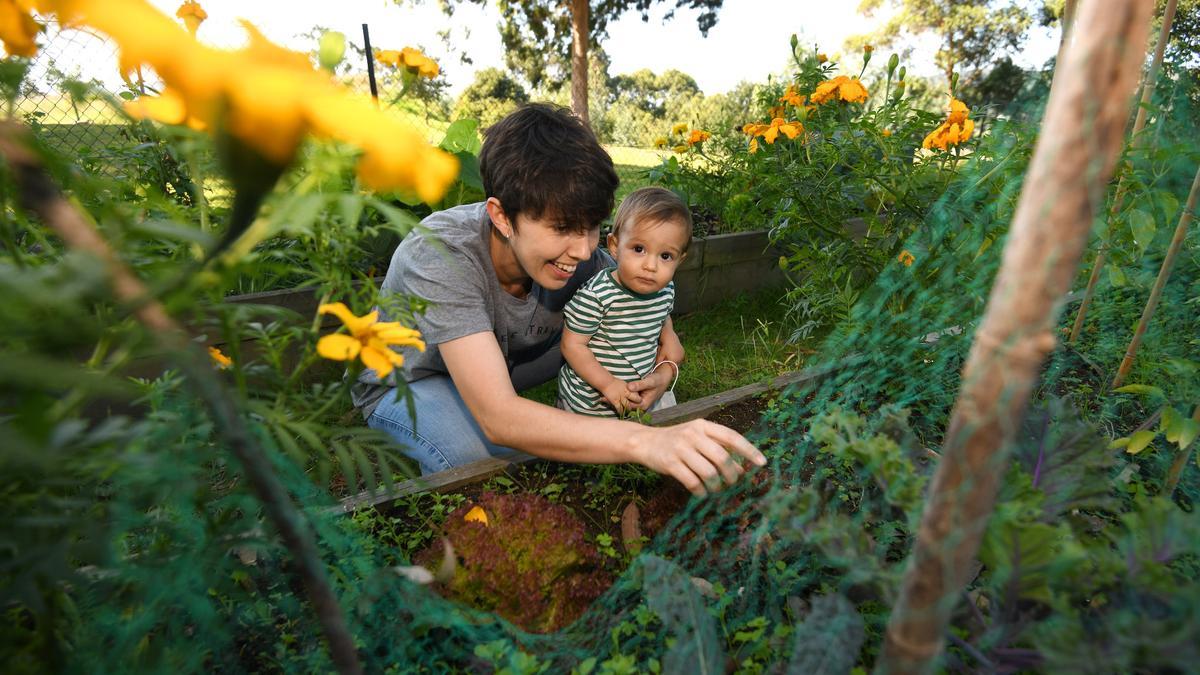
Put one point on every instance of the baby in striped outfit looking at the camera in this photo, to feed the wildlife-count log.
(616, 322)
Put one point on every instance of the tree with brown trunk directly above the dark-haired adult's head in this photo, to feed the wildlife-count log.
(550, 39)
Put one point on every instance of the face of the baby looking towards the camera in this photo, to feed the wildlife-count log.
(649, 253)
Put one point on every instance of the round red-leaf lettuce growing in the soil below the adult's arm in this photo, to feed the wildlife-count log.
(529, 561)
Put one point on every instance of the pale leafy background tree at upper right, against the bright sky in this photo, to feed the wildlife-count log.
(971, 33)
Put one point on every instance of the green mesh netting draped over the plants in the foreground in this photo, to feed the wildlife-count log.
(130, 542)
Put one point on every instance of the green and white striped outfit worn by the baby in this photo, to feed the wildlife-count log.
(625, 330)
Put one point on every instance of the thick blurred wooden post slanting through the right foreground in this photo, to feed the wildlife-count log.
(1083, 134)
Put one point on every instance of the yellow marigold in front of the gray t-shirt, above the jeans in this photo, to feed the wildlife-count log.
(369, 341)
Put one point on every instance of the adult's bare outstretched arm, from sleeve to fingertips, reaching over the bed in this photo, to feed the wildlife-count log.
(700, 455)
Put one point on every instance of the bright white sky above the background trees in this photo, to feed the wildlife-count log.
(749, 41)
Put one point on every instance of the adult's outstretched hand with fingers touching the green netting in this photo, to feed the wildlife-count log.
(700, 455)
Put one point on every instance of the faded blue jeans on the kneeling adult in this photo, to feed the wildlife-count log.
(445, 434)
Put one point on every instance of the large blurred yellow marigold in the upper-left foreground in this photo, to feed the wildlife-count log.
(267, 97)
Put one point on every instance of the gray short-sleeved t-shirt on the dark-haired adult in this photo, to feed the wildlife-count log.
(449, 265)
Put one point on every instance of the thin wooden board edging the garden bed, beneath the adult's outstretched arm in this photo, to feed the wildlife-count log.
(483, 470)
